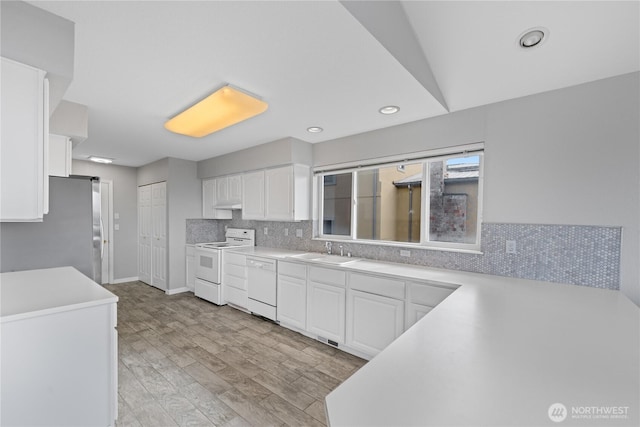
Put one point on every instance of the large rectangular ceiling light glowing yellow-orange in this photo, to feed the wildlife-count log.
(224, 107)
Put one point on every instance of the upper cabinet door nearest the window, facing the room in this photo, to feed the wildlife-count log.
(278, 205)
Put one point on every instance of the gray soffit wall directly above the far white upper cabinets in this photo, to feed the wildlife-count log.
(281, 152)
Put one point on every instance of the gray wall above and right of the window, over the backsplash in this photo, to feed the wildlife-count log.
(570, 156)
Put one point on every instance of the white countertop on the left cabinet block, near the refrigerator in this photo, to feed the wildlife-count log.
(31, 293)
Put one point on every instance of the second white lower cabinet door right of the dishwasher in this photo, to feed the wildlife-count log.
(326, 311)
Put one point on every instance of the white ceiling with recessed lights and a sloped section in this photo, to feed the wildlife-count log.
(322, 63)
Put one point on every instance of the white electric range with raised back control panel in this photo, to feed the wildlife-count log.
(209, 262)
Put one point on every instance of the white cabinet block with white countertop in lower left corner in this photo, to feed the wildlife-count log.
(59, 354)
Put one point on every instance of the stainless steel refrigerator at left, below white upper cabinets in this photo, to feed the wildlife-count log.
(69, 235)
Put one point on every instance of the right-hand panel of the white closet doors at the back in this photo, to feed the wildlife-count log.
(159, 235)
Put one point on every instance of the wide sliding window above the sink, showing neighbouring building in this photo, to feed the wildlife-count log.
(433, 201)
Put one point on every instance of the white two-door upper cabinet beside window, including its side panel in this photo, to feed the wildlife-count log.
(279, 194)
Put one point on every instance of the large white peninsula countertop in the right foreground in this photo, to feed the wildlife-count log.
(501, 351)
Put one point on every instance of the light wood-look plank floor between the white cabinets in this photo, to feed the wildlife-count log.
(186, 362)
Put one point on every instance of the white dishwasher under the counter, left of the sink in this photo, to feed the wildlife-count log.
(261, 286)
